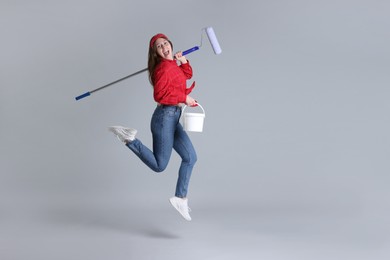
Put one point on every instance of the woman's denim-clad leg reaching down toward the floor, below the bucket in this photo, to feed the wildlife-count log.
(183, 146)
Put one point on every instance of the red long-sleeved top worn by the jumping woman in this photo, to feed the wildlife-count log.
(170, 86)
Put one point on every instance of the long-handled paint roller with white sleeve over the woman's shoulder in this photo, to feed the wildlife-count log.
(213, 42)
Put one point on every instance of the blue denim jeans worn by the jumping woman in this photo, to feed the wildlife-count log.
(168, 133)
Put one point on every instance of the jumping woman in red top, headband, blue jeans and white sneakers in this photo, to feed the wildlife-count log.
(170, 91)
